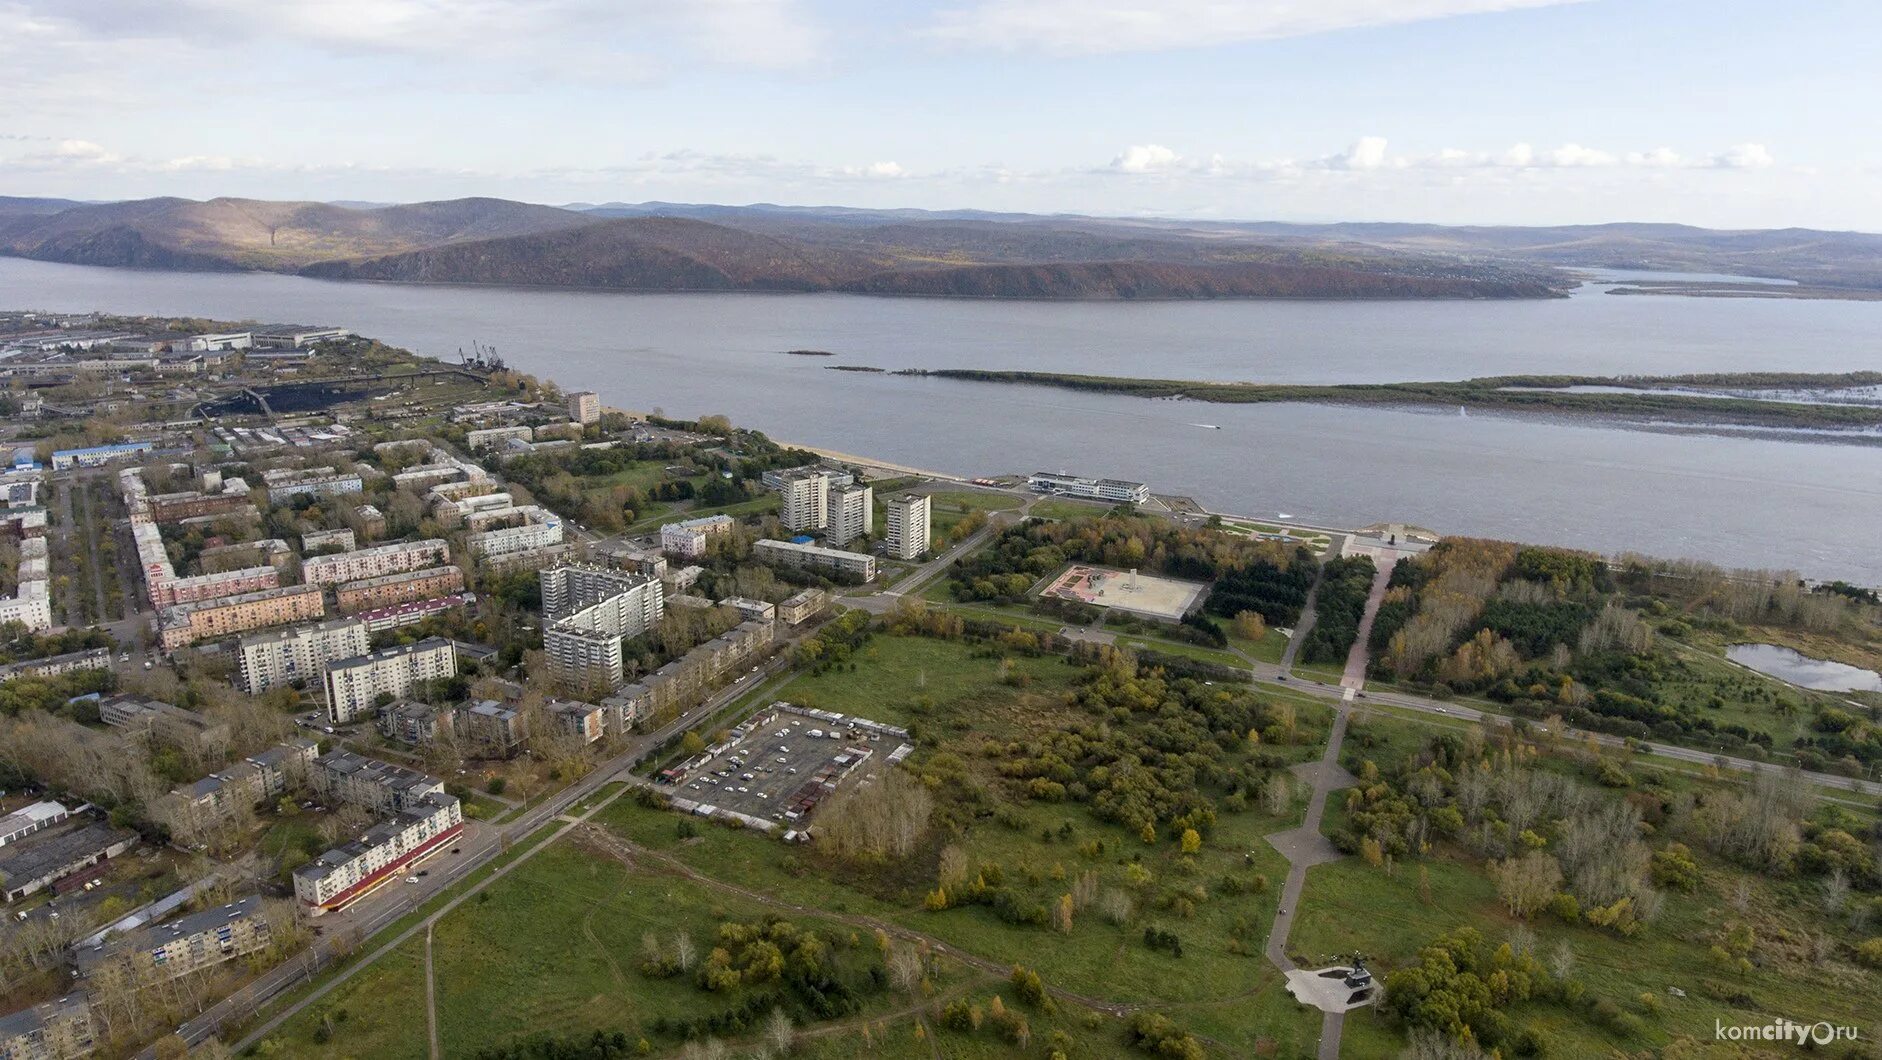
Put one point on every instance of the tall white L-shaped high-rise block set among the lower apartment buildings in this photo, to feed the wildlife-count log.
(586, 613)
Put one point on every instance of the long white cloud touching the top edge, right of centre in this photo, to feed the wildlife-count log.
(1102, 27)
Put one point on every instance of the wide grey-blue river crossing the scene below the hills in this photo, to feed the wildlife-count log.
(1740, 502)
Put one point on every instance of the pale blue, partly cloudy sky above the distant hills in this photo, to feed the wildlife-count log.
(1732, 114)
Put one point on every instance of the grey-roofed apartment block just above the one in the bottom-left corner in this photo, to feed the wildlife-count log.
(161, 954)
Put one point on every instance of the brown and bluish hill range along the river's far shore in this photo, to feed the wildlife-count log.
(901, 251)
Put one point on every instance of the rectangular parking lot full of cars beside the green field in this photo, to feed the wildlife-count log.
(782, 763)
